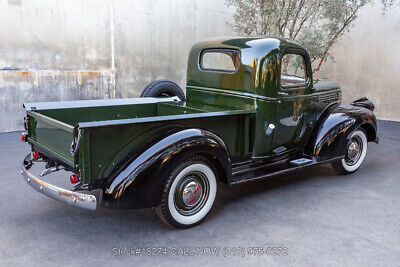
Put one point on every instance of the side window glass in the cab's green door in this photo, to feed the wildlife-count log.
(293, 70)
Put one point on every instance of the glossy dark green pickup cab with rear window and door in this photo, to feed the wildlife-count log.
(274, 77)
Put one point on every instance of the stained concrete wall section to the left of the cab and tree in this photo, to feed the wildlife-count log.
(52, 50)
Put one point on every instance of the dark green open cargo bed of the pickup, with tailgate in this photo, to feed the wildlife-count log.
(112, 129)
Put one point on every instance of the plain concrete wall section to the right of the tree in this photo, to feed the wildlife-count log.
(367, 61)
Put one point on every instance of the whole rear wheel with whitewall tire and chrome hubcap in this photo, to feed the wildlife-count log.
(189, 193)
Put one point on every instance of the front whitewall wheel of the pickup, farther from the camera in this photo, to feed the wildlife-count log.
(356, 151)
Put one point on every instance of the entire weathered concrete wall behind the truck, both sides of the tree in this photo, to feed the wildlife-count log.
(52, 50)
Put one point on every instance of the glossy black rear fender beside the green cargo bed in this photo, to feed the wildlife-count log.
(140, 183)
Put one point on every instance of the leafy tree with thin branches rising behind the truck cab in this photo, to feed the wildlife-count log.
(316, 24)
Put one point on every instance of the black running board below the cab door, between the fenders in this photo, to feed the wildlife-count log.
(270, 170)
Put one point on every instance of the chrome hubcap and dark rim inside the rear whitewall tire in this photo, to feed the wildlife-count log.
(191, 193)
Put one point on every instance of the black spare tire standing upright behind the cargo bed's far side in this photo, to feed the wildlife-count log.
(163, 88)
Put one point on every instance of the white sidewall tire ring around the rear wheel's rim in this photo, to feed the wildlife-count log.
(180, 173)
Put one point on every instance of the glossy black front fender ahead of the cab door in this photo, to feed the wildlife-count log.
(332, 131)
